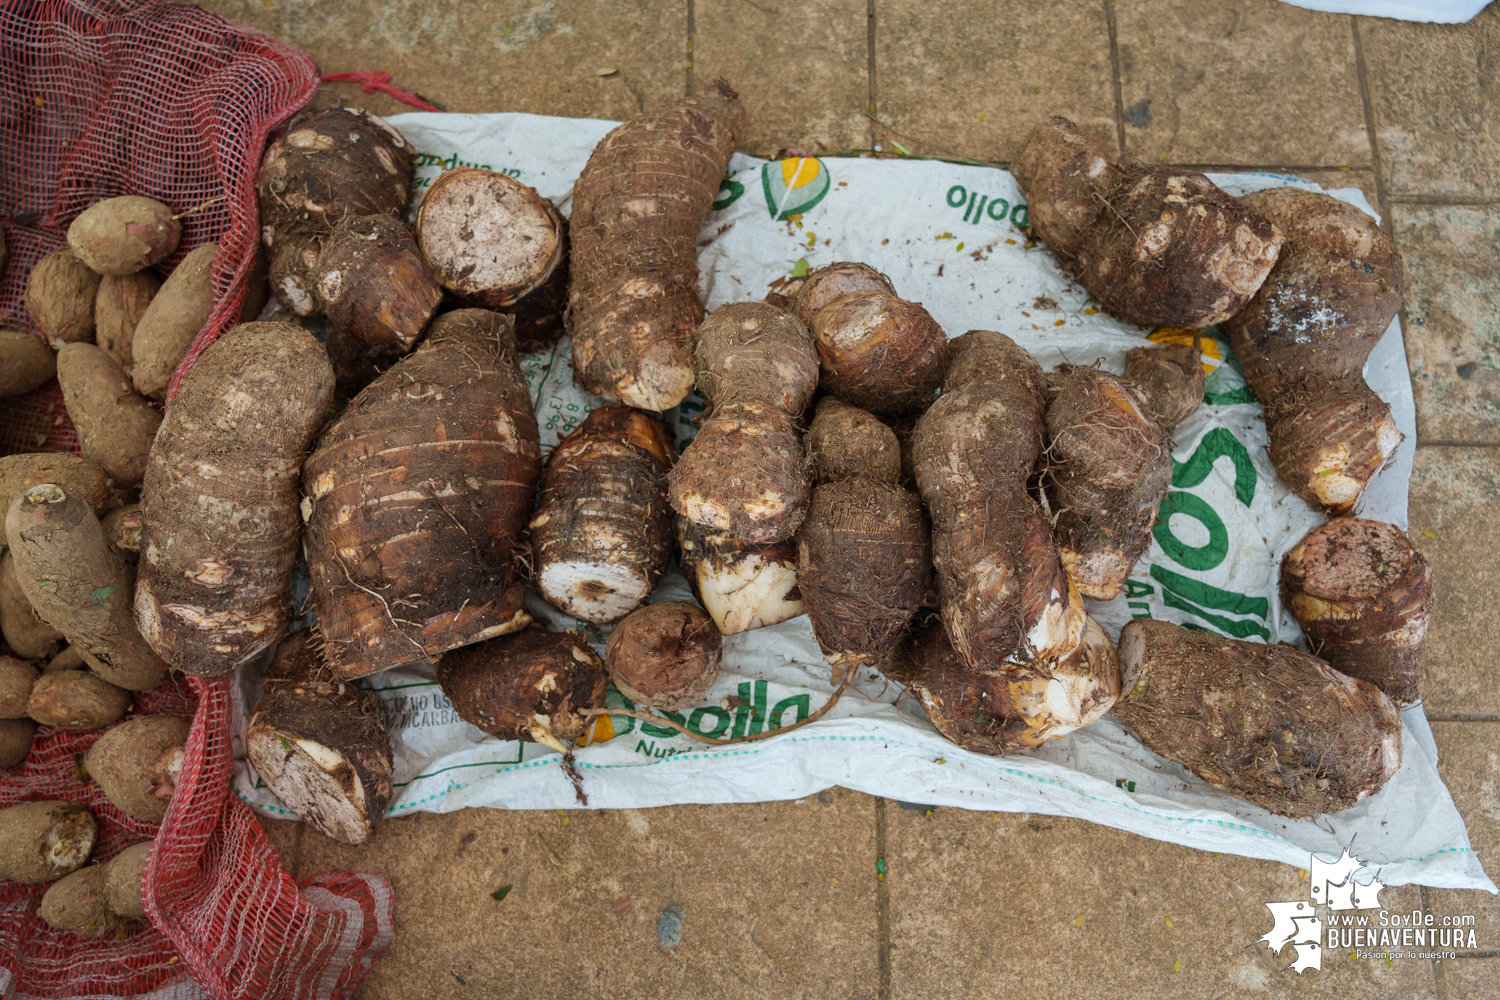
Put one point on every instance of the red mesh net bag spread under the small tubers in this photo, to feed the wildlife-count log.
(169, 101)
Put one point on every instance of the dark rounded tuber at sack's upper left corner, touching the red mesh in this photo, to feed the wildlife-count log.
(329, 166)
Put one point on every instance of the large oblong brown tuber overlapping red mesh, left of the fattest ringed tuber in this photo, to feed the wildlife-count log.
(220, 516)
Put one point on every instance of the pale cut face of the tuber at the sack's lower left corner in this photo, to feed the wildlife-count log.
(301, 774)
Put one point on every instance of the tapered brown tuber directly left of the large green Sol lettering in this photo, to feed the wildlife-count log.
(1109, 470)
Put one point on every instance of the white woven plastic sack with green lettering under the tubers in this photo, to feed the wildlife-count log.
(950, 238)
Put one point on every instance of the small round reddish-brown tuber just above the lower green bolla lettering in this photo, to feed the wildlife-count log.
(665, 656)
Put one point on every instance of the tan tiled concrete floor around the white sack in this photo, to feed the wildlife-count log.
(781, 900)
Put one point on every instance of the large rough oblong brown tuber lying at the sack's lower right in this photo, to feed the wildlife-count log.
(1268, 725)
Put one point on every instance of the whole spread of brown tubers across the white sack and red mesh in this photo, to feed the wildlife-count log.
(937, 507)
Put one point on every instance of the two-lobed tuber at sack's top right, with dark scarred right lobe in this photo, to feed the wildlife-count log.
(1162, 248)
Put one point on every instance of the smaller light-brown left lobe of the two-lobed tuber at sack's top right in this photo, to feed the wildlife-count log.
(1067, 176)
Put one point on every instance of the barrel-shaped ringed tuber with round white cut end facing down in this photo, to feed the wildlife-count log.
(602, 536)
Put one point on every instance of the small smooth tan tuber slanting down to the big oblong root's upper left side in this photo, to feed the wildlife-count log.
(115, 425)
